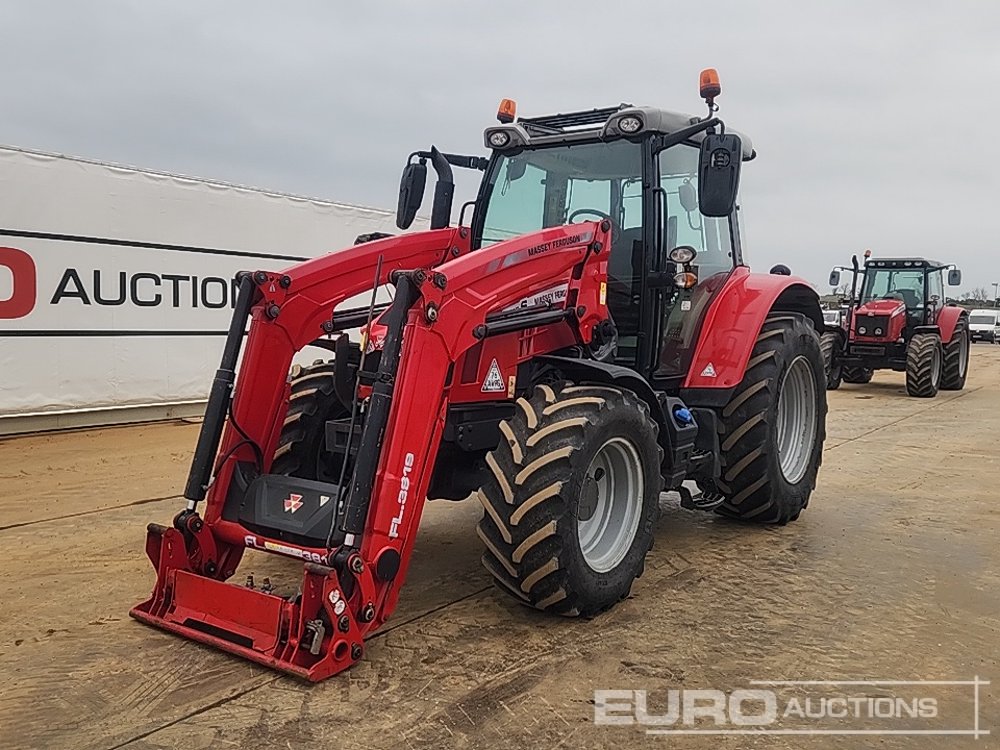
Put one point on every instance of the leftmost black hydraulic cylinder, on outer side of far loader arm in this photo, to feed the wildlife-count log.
(219, 398)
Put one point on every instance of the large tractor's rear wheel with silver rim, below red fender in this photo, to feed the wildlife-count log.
(773, 428)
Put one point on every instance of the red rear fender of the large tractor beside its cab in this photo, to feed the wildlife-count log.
(735, 318)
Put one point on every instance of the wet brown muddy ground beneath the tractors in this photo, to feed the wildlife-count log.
(891, 574)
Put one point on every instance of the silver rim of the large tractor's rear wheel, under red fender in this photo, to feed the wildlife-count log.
(796, 423)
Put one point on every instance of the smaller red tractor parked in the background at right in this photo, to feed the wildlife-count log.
(899, 322)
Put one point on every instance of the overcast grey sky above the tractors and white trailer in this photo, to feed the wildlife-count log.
(873, 121)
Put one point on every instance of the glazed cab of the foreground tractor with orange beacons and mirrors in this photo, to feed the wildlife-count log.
(665, 181)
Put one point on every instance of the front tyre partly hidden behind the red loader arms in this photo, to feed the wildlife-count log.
(301, 450)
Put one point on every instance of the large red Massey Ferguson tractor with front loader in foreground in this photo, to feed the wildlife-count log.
(589, 338)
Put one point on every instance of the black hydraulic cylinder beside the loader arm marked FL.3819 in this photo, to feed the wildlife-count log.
(369, 452)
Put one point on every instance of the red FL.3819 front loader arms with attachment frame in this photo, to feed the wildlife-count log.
(440, 311)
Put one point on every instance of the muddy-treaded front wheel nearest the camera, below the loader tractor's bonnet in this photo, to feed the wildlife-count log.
(571, 497)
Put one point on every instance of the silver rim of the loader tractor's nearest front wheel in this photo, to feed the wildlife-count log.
(615, 485)
